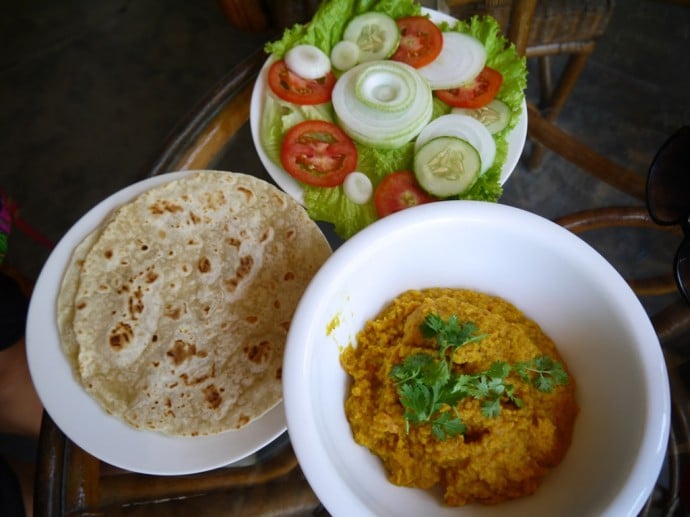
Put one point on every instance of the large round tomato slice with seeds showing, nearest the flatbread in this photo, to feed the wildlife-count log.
(318, 153)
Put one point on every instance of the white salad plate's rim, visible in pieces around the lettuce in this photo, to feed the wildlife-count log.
(516, 138)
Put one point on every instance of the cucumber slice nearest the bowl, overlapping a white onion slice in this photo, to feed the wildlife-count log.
(446, 166)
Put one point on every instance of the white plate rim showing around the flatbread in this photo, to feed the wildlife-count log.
(81, 418)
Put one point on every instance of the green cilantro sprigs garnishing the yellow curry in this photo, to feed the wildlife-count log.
(430, 388)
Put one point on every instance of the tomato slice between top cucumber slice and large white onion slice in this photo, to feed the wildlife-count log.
(420, 41)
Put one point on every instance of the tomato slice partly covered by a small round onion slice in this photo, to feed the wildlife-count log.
(291, 87)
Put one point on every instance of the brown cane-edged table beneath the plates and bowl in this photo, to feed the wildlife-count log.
(217, 136)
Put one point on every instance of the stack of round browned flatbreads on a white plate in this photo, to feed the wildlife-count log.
(175, 311)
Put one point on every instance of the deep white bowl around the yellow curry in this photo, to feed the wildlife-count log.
(597, 322)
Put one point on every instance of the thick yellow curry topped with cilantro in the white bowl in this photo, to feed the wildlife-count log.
(507, 423)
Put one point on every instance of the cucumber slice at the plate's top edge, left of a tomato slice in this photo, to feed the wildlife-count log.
(376, 34)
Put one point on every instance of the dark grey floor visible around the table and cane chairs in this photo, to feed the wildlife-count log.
(90, 91)
